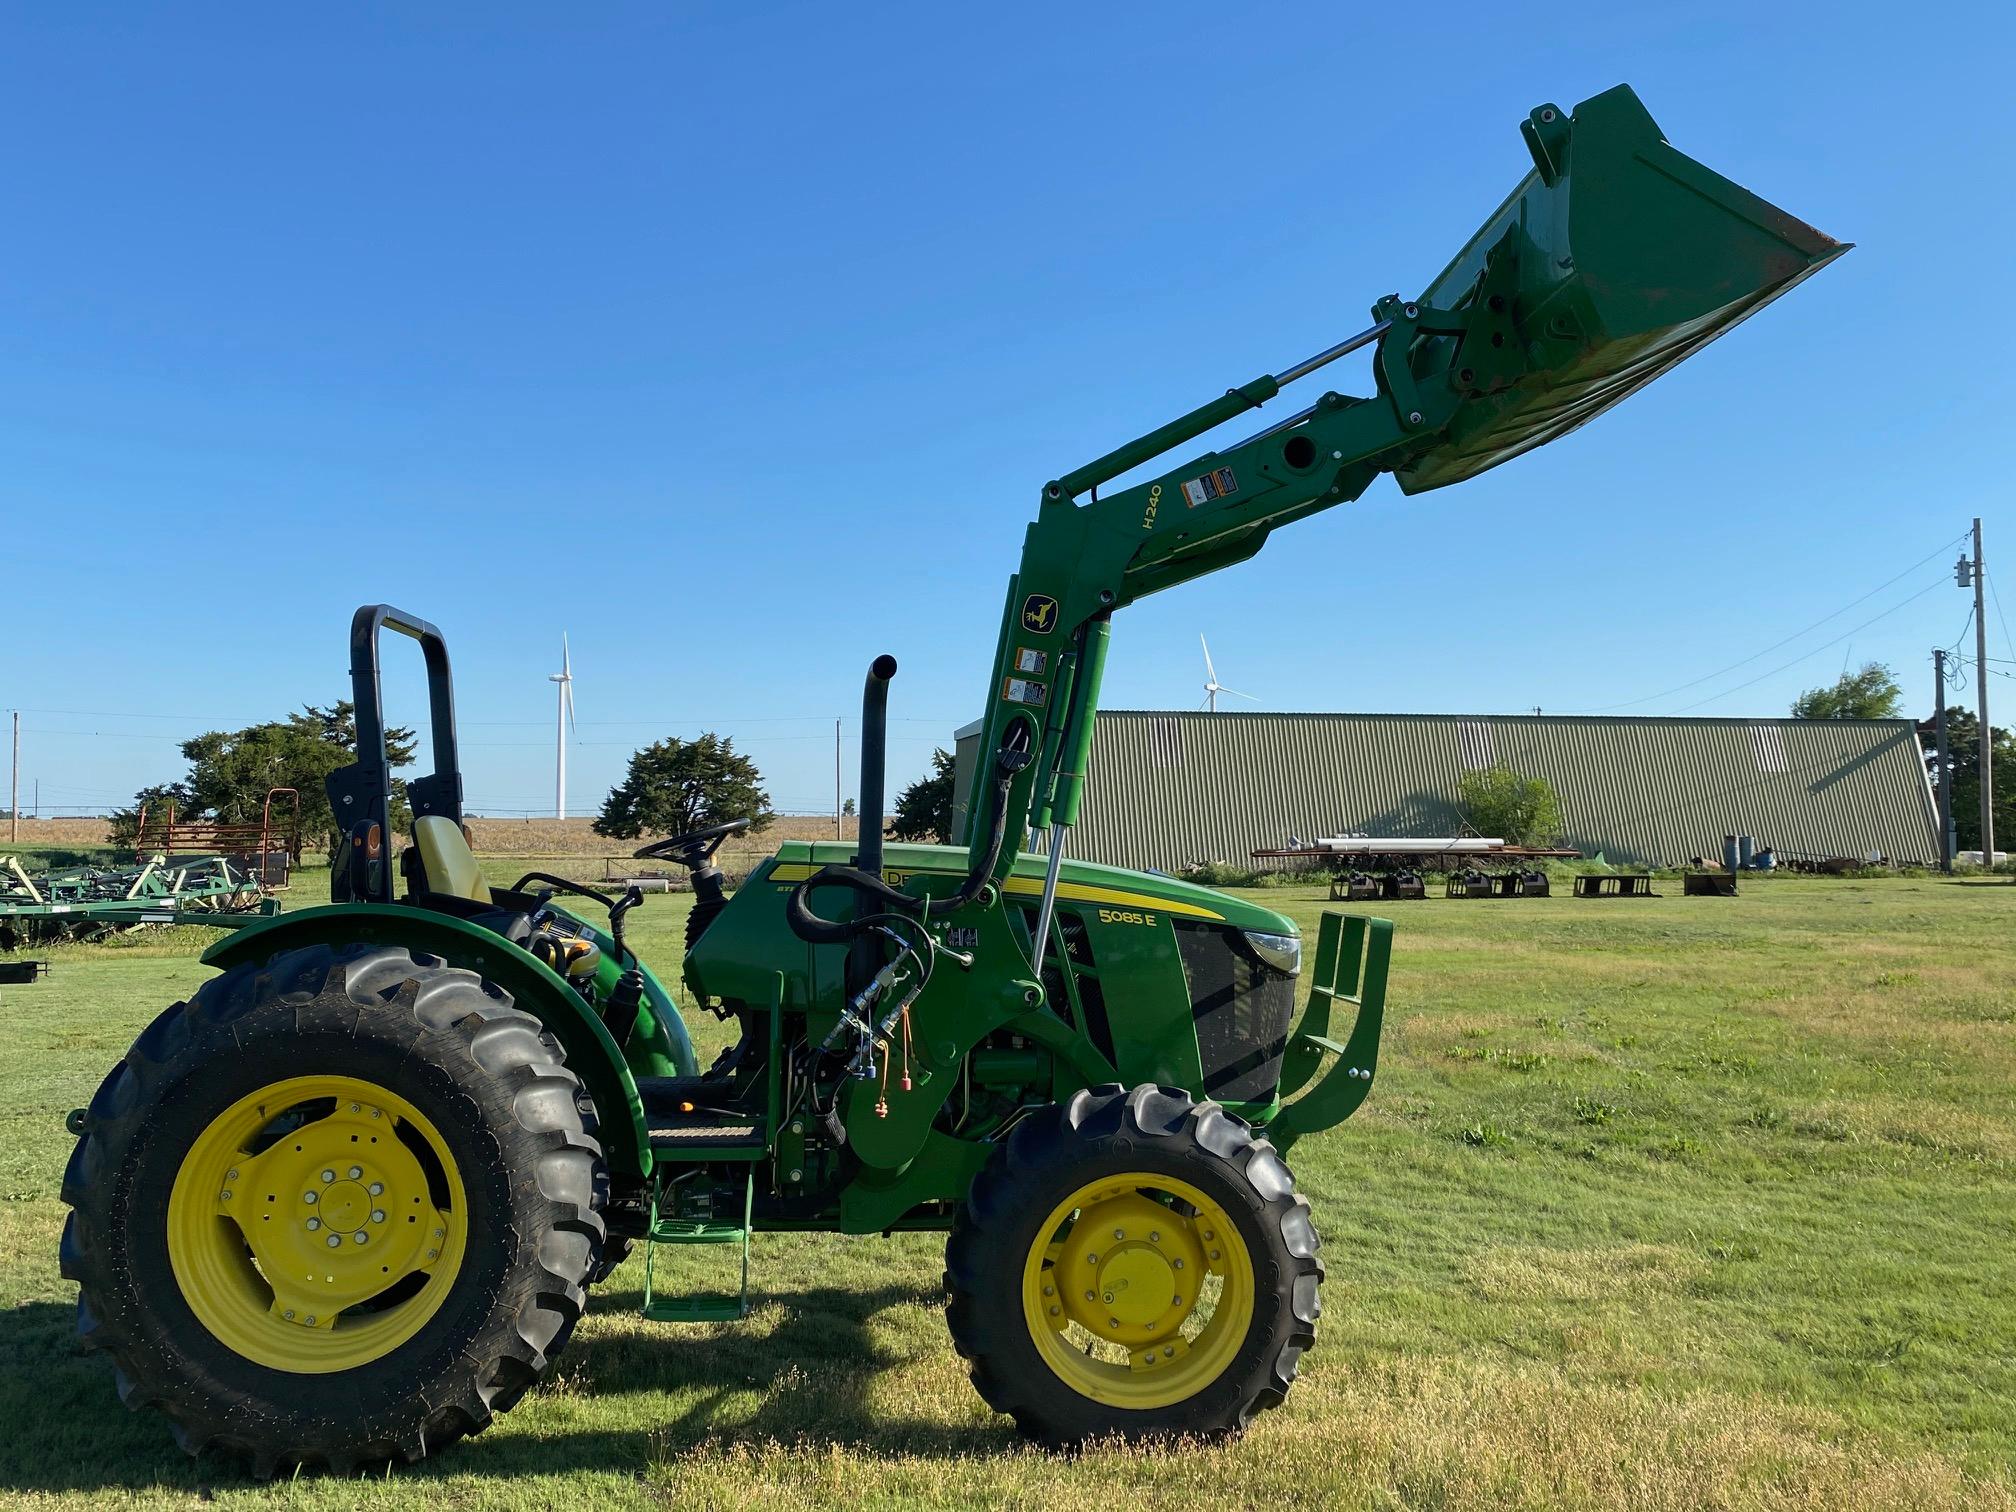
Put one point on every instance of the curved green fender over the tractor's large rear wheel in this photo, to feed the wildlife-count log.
(592, 1051)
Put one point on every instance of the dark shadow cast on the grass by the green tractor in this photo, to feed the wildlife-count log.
(801, 1368)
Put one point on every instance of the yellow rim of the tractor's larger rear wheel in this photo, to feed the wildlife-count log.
(318, 1225)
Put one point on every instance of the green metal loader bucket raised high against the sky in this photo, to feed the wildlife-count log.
(1626, 259)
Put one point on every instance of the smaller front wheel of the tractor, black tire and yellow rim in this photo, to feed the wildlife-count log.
(1134, 1265)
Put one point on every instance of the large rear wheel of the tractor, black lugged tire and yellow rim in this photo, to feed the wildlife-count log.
(350, 1043)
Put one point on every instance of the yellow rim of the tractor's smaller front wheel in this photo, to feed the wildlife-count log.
(1138, 1291)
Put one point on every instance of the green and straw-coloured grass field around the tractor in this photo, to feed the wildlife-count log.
(1662, 1205)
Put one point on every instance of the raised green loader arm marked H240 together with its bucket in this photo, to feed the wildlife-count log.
(1614, 259)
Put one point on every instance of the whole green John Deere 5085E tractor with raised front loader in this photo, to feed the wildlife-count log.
(348, 1203)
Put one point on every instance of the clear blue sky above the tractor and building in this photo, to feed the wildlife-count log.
(737, 342)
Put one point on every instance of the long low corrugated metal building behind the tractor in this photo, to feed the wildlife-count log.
(1174, 789)
